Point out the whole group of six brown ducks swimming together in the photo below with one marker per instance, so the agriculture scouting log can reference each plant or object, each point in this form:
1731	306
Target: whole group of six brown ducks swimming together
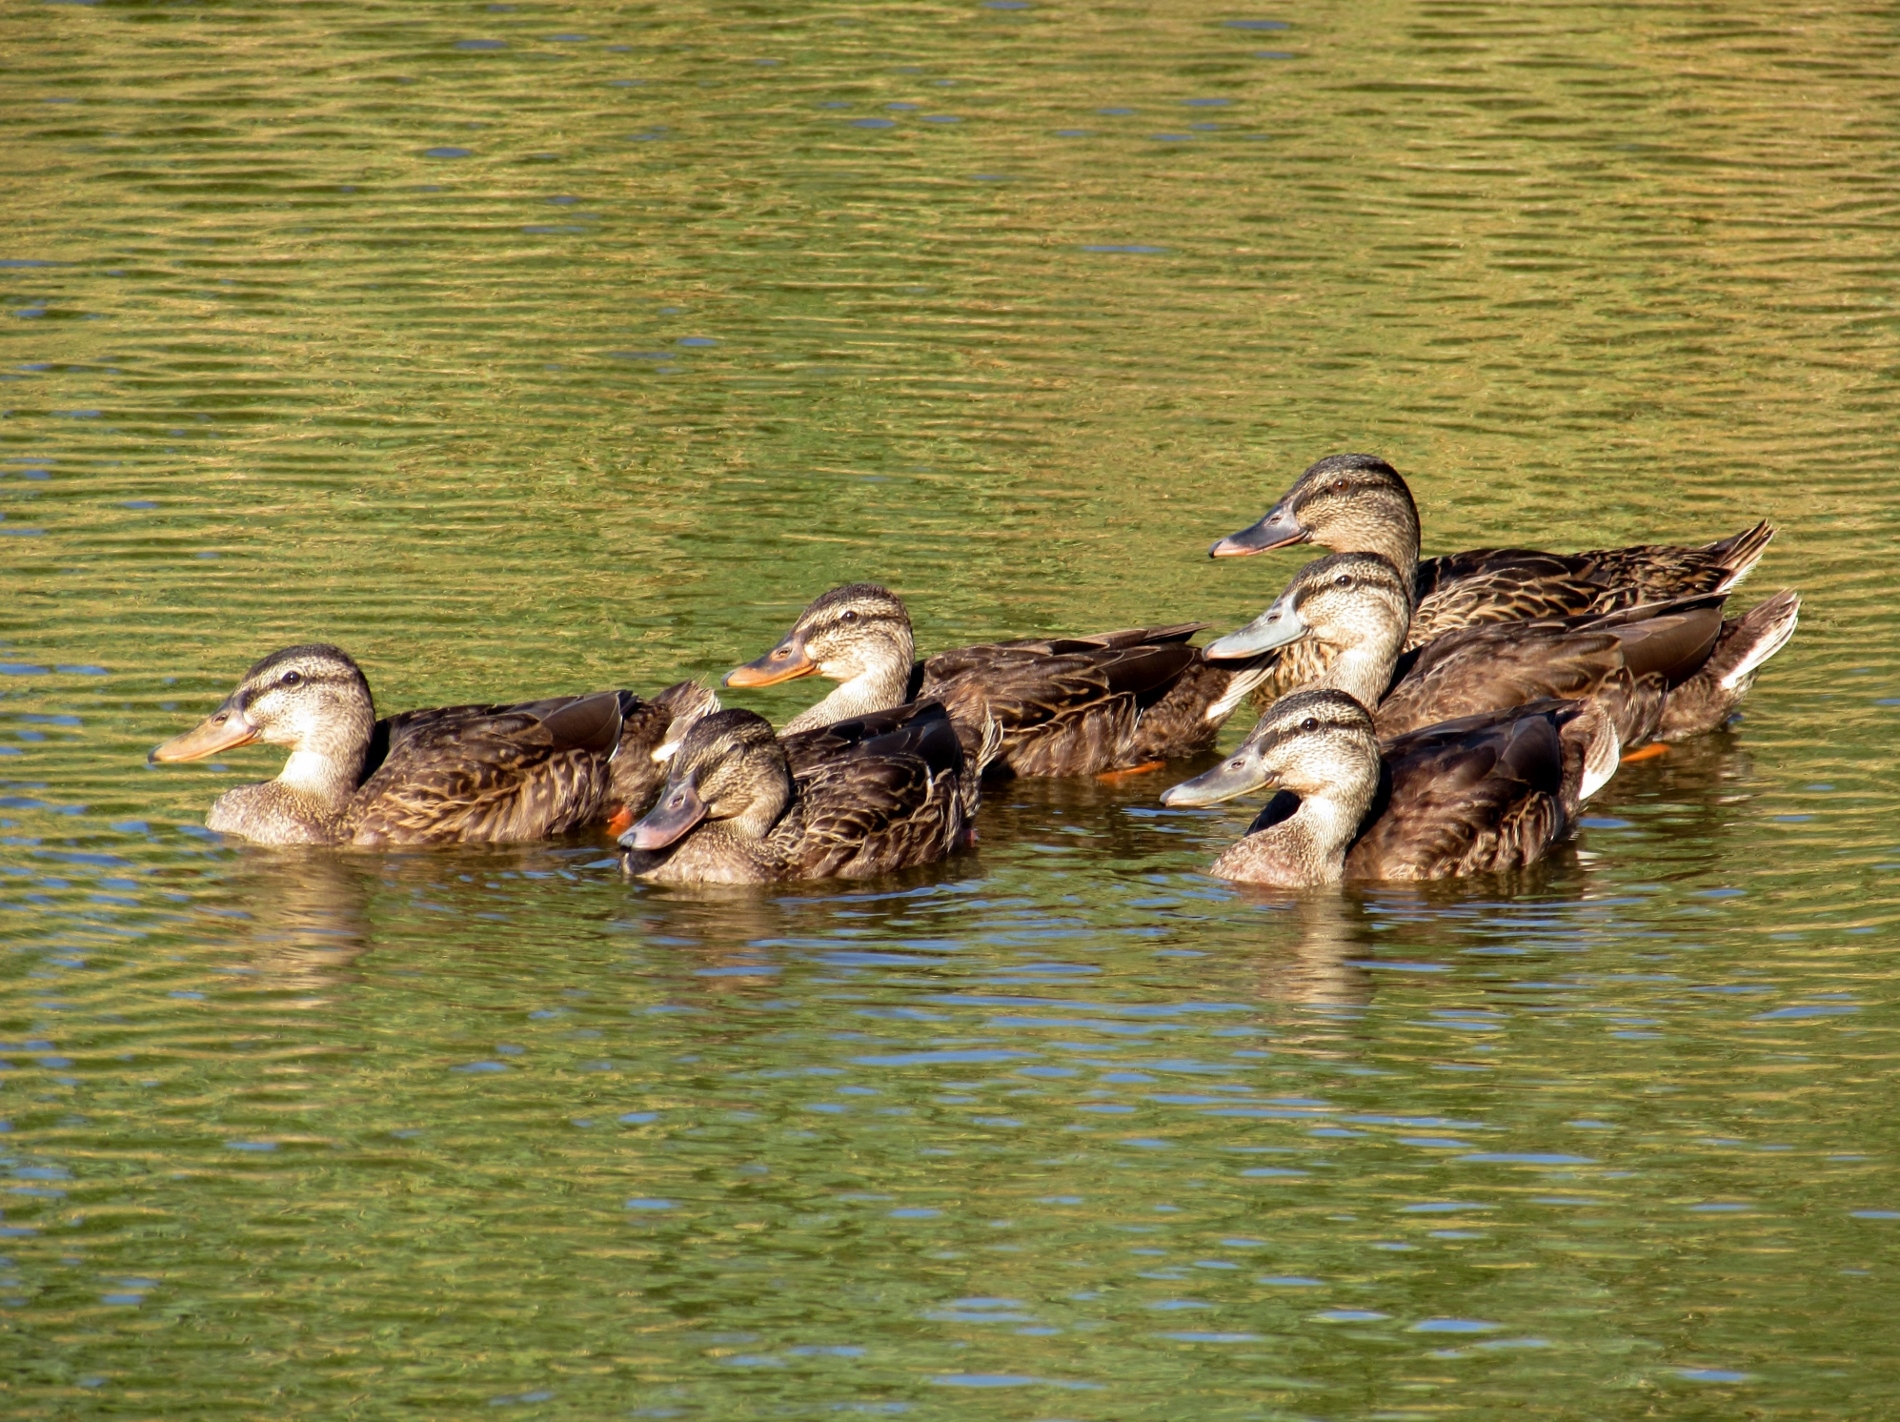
1424	718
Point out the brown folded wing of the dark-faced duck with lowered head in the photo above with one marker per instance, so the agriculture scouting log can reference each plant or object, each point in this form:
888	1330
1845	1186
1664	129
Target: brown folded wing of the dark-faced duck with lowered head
875	796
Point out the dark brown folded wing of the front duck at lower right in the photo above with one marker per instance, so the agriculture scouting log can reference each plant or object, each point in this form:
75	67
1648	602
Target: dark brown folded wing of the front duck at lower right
1468	797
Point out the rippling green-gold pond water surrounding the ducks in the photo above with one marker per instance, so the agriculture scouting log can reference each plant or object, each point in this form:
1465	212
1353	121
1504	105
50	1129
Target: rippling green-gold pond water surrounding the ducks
539	349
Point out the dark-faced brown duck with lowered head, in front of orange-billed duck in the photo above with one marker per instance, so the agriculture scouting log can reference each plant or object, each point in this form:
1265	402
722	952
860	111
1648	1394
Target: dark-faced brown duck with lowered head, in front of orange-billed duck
852	799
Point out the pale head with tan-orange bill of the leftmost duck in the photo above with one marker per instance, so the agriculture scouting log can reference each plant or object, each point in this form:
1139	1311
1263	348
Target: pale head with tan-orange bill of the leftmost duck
311	699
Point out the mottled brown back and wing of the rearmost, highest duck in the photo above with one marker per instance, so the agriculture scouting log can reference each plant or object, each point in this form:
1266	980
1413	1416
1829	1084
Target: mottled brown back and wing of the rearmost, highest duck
1510	585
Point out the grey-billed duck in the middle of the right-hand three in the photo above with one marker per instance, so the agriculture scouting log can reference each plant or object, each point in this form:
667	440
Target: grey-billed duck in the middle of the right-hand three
1665	670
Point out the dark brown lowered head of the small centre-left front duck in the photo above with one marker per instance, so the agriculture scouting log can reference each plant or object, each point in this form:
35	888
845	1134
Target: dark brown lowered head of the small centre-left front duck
729	771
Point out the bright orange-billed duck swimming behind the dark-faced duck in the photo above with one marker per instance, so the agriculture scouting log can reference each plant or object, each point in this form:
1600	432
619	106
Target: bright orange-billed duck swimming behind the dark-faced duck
1067	706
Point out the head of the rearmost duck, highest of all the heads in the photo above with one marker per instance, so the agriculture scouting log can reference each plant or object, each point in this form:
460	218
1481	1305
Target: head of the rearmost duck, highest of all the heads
1348	503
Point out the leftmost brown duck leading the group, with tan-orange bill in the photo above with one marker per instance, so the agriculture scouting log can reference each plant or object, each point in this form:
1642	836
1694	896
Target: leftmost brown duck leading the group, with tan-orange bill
457	775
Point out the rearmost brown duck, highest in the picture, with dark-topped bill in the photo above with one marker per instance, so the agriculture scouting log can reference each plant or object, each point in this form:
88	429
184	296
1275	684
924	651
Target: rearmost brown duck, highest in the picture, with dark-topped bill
1359	505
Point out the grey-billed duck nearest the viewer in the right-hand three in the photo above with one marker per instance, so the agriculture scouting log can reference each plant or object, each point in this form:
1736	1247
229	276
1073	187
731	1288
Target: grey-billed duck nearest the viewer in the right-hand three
1468	797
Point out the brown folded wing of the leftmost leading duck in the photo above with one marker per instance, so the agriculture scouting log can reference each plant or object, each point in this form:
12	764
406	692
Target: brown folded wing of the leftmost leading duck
491	775
